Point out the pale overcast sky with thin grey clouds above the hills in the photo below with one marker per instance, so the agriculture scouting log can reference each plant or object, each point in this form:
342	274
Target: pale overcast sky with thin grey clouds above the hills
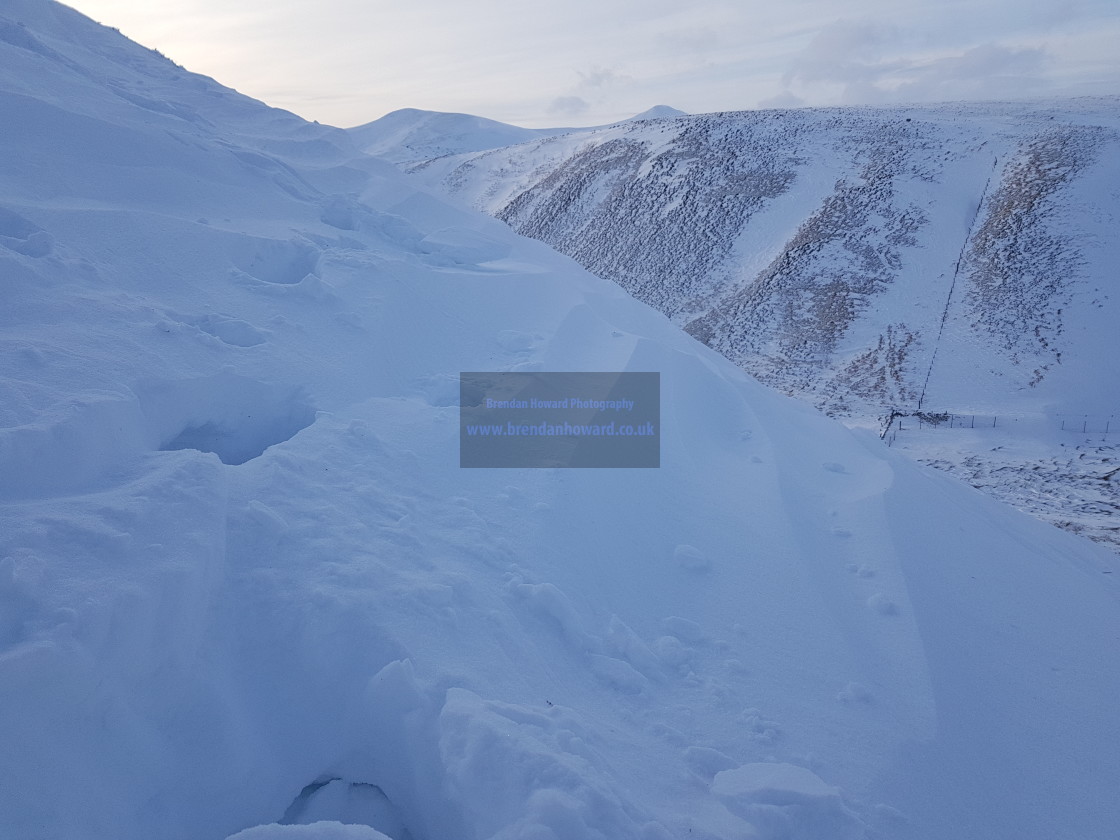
592	62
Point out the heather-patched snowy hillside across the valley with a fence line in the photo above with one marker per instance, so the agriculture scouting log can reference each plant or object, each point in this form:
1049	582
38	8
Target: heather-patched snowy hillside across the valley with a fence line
875	263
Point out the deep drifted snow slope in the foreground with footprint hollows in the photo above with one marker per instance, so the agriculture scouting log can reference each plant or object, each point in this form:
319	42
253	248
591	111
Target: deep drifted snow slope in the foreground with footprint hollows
247	592
